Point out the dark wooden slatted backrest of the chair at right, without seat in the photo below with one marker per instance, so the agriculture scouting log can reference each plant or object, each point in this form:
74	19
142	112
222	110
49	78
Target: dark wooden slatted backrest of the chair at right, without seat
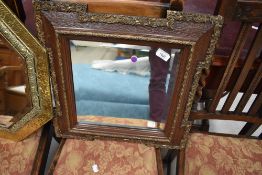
242	71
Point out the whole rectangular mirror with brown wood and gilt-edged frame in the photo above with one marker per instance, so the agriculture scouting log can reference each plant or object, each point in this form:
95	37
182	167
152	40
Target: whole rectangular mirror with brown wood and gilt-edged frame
125	77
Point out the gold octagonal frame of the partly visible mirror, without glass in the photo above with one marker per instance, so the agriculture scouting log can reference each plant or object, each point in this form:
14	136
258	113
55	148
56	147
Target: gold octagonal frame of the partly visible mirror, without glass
35	58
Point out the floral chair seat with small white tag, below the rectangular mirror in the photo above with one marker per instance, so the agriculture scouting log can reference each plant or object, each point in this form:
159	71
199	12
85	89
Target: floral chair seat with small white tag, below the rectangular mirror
111	158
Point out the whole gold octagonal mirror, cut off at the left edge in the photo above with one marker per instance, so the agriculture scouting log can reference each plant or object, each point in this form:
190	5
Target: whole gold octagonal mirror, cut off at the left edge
25	98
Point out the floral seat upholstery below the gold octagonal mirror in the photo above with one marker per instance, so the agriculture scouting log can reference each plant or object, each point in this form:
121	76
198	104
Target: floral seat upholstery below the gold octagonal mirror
17	158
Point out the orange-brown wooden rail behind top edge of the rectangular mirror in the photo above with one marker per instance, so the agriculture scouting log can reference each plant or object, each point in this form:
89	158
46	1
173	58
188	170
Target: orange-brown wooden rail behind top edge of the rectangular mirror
149	8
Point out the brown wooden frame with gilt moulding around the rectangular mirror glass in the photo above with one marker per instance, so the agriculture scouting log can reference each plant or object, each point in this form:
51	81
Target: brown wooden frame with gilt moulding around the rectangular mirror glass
195	34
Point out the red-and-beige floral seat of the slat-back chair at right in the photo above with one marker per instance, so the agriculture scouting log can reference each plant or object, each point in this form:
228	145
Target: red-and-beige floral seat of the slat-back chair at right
216	155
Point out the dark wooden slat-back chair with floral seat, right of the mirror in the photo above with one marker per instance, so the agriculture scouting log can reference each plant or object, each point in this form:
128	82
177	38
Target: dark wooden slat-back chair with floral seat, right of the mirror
208	153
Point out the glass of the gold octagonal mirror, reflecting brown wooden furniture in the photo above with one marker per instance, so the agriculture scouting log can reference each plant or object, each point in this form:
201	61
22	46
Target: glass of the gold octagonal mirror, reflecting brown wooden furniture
15	100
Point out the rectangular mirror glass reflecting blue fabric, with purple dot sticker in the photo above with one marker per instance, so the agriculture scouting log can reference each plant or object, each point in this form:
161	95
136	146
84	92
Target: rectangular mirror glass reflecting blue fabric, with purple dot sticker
122	84
